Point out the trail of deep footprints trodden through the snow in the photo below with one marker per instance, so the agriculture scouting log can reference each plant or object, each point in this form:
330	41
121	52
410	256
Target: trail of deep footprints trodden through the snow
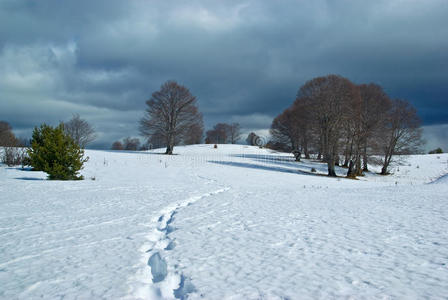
163	279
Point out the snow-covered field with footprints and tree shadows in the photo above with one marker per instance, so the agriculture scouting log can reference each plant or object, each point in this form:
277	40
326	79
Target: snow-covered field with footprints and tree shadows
235	222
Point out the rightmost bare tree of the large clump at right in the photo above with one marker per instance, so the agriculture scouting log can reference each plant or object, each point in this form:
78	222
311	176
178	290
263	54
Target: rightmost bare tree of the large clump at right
402	134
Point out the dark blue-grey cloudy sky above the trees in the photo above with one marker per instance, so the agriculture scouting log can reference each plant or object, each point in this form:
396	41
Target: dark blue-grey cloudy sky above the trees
243	60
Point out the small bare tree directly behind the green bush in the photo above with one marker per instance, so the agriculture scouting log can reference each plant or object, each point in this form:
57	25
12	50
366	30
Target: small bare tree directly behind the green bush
80	131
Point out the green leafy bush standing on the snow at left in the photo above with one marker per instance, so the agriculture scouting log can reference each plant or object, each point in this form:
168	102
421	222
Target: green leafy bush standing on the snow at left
56	153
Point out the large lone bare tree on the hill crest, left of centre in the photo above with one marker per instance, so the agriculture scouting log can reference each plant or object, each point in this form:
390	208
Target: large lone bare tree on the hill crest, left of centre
171	112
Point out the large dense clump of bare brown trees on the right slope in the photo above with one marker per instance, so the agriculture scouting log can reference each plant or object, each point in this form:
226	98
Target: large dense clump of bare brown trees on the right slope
346	124
